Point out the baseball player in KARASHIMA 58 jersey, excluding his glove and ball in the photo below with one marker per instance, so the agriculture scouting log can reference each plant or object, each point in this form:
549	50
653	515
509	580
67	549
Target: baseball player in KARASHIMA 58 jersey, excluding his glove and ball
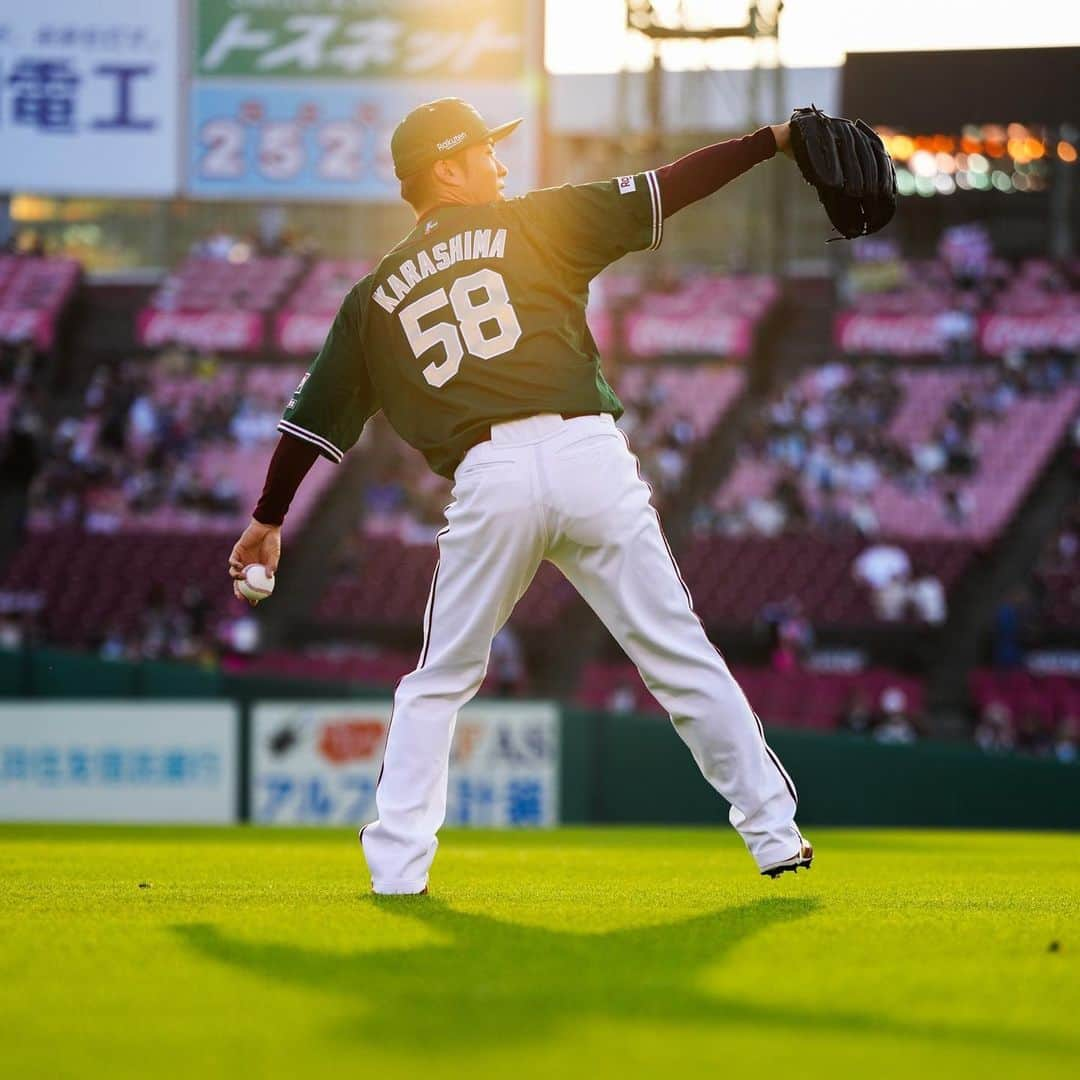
471	336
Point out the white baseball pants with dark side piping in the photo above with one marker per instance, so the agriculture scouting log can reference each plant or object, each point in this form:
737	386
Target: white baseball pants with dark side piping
570	492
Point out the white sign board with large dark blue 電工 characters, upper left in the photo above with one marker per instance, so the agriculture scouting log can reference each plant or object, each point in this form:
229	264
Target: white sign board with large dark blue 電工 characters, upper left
90	98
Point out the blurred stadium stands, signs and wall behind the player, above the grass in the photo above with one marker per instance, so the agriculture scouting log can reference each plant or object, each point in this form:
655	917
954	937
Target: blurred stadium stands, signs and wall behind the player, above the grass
867	455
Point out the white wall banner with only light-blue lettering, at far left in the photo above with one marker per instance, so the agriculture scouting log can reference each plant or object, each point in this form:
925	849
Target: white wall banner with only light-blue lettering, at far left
119	762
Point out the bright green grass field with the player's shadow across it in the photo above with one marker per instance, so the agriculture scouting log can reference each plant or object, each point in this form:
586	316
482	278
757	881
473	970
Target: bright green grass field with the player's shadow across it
259	953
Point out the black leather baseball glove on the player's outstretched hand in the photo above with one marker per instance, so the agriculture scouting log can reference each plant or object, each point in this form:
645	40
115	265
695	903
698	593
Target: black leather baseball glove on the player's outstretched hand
850	169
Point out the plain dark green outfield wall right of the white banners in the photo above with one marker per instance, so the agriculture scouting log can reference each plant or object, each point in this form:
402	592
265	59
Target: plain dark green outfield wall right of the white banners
637	769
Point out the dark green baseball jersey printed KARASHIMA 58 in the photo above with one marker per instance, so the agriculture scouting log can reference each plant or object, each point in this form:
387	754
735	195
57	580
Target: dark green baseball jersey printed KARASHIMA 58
476	318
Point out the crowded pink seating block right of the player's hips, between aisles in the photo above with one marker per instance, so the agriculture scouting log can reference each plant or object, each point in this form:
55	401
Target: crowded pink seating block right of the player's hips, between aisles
821	455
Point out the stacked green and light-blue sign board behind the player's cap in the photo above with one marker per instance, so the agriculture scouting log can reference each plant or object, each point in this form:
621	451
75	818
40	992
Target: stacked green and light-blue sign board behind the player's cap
290	104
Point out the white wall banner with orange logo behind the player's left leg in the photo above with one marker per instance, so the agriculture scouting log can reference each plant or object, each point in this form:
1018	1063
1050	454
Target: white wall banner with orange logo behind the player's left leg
318	764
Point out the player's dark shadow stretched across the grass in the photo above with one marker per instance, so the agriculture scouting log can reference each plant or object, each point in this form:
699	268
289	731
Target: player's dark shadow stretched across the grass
493	982
